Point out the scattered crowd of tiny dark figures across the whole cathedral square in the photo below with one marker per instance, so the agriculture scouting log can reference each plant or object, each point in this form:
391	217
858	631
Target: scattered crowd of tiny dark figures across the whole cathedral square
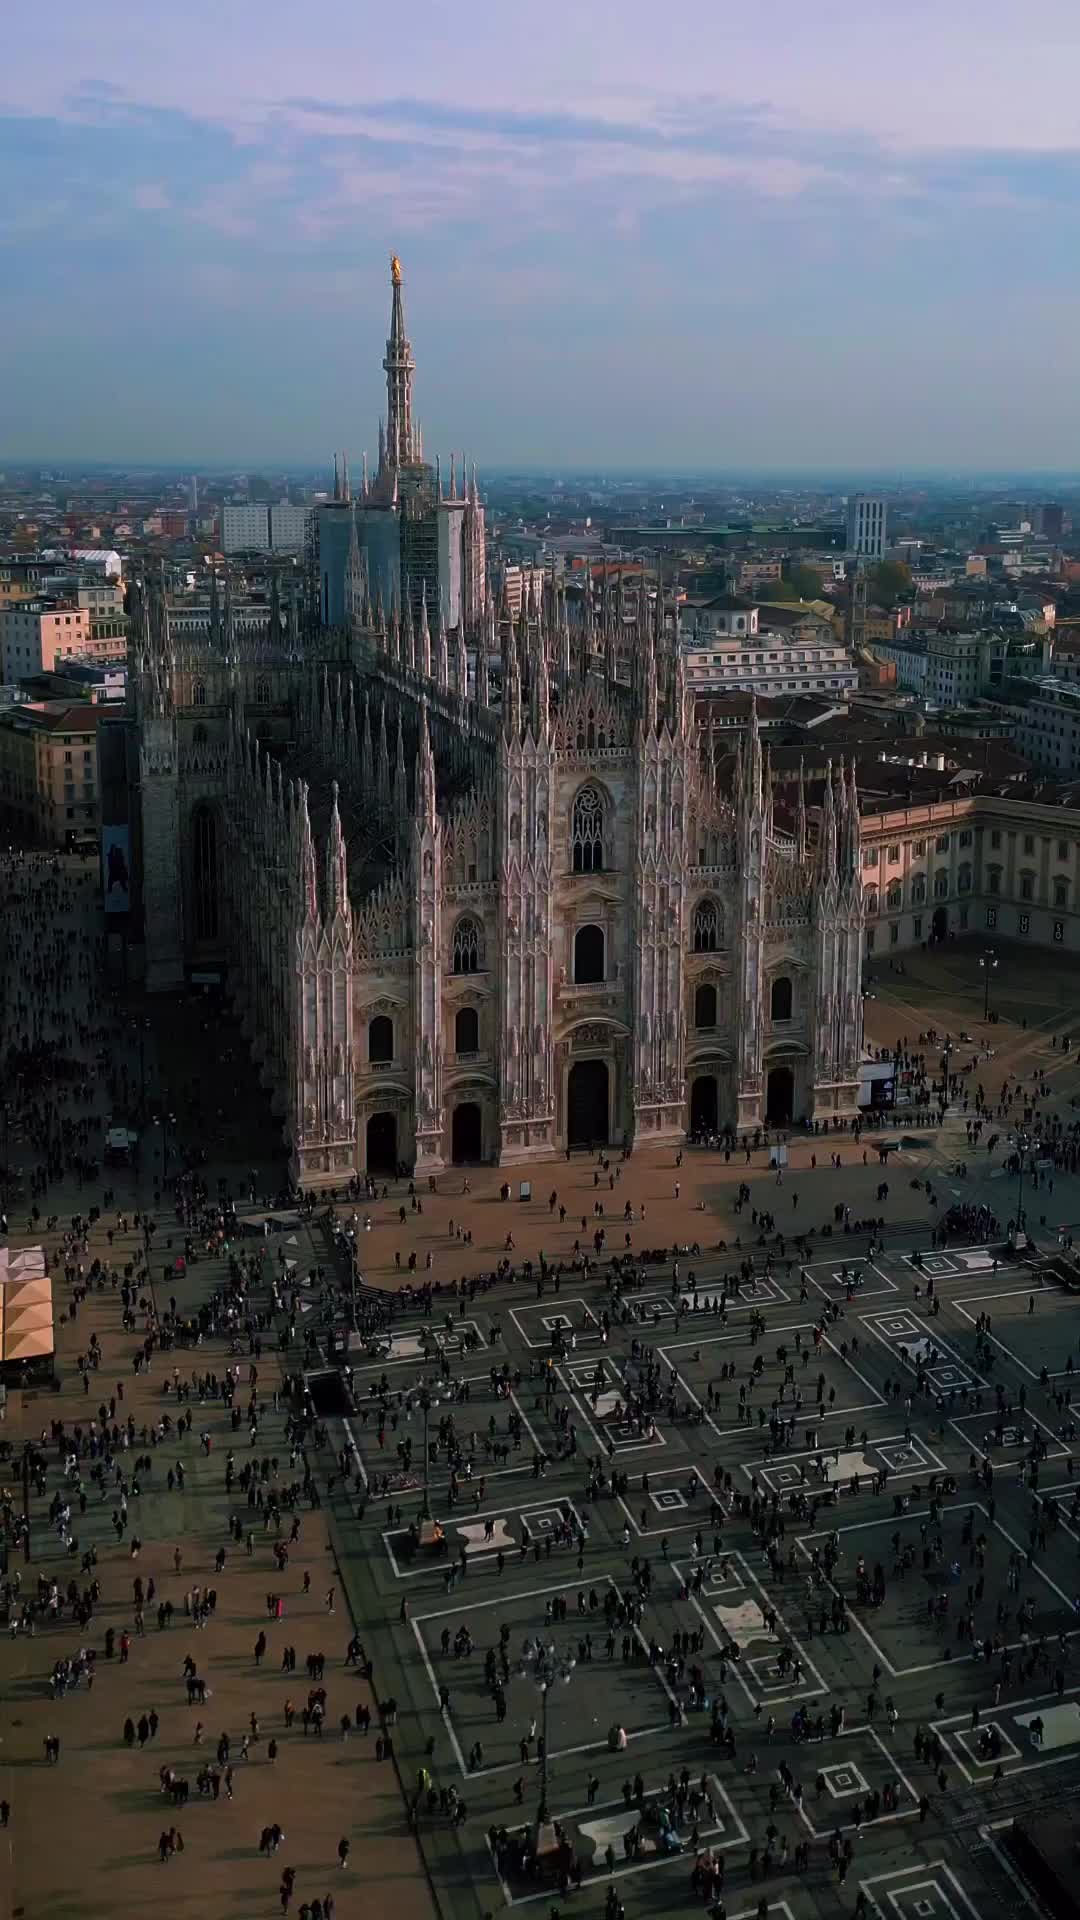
201	1383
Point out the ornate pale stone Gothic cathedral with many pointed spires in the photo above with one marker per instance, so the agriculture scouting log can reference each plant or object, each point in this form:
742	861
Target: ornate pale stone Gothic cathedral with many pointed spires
481	898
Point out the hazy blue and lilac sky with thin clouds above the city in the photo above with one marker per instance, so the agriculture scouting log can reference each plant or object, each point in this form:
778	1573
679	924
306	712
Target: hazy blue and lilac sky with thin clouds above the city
833	235
